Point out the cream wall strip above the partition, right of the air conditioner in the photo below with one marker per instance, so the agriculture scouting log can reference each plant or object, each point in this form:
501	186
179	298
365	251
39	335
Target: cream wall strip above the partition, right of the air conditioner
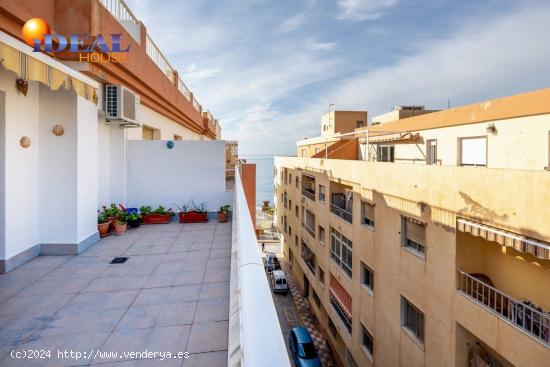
167	127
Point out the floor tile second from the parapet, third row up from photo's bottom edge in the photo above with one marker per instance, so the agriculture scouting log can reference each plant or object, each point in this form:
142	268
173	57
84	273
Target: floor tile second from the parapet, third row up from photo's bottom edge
142	317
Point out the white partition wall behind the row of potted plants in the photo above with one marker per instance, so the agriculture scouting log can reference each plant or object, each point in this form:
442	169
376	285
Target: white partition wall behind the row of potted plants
192	170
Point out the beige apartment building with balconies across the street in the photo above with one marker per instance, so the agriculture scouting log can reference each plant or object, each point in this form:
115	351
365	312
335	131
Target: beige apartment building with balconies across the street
425	240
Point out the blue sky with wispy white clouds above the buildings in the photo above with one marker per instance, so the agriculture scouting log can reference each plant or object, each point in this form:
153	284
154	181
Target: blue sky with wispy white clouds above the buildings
268	69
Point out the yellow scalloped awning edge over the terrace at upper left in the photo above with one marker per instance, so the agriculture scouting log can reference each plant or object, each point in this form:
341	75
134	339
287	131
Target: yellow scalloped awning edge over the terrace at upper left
31	69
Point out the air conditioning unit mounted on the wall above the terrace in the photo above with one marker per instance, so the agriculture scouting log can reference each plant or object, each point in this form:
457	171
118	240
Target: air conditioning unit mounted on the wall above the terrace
120	105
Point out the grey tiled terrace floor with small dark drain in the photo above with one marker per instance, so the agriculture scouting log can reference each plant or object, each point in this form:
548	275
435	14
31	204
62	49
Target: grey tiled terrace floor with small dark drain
172	295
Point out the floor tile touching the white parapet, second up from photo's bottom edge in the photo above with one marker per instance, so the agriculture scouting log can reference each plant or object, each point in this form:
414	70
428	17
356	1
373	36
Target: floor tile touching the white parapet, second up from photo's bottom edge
208	337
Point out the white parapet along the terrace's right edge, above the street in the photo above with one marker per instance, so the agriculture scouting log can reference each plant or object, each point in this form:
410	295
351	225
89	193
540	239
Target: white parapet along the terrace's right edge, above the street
255	336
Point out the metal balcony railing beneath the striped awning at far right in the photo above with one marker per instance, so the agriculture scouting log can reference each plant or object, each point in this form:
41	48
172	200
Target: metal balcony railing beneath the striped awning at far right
518	313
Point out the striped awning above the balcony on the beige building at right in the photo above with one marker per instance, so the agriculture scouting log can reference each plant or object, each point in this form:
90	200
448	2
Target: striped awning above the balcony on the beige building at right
519	242
